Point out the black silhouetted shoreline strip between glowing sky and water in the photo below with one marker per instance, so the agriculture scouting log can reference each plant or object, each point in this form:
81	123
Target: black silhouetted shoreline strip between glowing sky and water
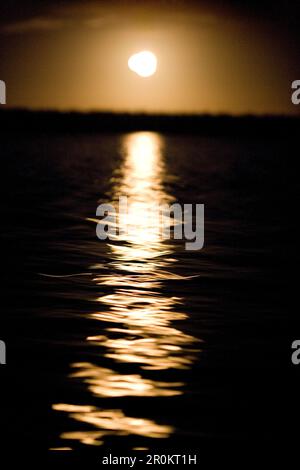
205	124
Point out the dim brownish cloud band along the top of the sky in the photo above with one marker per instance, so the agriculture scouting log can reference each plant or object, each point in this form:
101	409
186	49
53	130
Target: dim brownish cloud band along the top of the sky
91	15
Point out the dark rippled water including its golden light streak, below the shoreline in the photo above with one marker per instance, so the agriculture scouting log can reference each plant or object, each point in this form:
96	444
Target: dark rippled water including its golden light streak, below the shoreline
137	343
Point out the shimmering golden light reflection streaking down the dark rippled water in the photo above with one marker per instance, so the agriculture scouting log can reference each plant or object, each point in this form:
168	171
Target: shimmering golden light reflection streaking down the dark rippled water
137	316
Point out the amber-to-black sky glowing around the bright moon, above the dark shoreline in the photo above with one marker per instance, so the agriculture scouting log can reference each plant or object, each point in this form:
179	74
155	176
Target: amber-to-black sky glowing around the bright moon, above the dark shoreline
213	56
